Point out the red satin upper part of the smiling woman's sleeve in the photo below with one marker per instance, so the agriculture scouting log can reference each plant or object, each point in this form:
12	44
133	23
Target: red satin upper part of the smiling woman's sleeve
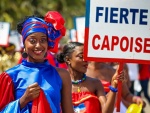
6	90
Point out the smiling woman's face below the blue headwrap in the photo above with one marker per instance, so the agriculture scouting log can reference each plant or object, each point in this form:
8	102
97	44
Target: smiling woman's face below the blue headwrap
36	46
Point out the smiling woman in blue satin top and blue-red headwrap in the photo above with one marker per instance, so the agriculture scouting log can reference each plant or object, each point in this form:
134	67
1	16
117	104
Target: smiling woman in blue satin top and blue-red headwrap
34	86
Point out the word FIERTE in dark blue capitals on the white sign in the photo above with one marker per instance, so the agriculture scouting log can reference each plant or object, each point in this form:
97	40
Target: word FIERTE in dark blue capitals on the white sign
122	15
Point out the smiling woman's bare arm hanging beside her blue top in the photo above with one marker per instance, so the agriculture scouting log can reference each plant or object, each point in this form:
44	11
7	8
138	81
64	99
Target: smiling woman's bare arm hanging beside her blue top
66	99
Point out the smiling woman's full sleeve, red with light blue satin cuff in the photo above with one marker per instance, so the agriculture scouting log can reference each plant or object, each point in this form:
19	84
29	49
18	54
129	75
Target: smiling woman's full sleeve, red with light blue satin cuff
7	103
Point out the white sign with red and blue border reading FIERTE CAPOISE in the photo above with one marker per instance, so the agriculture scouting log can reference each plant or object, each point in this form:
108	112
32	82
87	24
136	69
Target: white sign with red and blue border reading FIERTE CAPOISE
118	30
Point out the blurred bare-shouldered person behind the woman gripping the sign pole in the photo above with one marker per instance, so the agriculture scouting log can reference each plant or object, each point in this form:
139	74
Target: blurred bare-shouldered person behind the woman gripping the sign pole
104	71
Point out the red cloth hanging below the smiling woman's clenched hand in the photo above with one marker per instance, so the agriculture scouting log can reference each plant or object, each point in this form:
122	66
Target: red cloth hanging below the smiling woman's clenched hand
40	104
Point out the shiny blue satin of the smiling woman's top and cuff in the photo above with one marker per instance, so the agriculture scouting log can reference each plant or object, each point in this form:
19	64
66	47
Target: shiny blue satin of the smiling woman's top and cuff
28	73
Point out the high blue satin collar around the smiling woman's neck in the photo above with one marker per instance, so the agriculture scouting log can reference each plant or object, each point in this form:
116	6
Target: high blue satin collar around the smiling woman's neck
31	64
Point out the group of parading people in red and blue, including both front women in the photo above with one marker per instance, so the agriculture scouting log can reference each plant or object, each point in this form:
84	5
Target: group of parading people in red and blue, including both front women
43	82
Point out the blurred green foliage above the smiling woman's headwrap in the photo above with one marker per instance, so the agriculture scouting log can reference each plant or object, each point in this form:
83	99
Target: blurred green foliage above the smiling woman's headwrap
14	10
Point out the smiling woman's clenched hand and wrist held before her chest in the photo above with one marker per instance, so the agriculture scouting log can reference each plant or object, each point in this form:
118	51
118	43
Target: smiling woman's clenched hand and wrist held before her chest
30	94
